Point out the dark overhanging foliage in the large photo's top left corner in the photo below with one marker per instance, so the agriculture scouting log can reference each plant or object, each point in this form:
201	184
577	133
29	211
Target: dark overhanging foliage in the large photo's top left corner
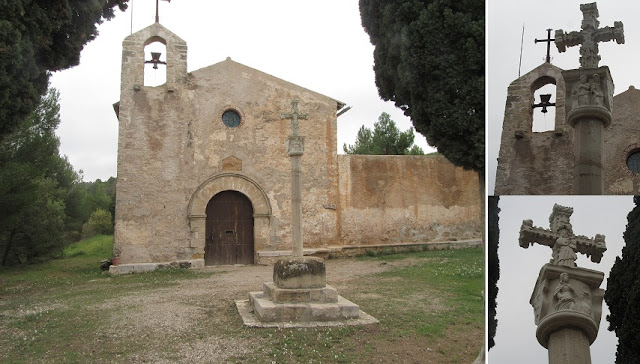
38	37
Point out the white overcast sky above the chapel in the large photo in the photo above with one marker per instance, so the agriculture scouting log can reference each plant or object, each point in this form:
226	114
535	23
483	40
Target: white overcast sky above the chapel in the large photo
318	45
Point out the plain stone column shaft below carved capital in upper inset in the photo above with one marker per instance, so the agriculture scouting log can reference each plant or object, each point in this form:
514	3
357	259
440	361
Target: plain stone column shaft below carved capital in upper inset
588	157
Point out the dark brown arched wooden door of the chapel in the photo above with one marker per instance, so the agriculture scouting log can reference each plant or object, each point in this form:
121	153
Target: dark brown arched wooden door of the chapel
229	229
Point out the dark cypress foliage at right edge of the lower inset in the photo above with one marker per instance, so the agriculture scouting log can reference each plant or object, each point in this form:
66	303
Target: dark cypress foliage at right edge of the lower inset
623	292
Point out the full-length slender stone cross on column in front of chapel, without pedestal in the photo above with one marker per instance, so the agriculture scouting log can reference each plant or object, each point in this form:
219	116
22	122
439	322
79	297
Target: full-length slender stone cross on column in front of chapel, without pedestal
295	149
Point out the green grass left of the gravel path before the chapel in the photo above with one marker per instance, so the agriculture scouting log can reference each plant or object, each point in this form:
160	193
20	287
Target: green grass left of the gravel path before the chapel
50	307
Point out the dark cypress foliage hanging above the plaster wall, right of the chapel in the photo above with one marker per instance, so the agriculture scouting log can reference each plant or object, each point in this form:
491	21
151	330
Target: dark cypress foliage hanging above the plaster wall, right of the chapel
429	60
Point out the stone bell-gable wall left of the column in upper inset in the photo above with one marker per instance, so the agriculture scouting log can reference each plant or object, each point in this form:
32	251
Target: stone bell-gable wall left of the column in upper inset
534	163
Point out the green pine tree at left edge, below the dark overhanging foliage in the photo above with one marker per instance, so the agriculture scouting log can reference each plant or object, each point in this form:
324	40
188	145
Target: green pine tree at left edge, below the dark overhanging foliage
34	183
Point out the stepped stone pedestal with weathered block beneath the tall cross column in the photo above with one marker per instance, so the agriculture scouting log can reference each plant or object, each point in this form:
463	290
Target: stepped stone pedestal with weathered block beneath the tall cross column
299	297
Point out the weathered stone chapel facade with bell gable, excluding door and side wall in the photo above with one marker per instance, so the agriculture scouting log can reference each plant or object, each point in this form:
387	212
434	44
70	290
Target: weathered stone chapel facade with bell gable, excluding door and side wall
173	147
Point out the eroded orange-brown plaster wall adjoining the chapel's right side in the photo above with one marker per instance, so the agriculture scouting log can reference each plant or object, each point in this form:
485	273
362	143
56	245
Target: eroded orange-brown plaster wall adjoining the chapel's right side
406	199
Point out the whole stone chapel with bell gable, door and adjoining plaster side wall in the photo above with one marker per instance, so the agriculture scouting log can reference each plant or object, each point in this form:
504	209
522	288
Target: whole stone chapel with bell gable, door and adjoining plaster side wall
204	176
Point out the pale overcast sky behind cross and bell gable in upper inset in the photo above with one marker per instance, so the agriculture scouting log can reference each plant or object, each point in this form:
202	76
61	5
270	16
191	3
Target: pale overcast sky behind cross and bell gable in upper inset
505	19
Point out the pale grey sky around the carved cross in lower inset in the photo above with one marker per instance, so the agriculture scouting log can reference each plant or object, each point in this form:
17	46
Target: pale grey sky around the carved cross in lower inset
516	335
